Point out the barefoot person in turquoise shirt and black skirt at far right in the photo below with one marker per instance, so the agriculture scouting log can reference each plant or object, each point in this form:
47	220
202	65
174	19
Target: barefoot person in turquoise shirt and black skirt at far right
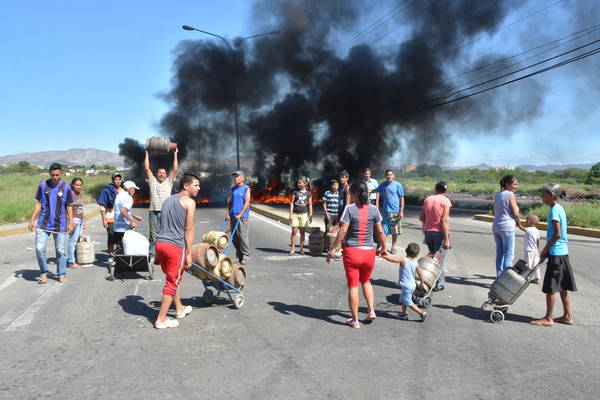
559	273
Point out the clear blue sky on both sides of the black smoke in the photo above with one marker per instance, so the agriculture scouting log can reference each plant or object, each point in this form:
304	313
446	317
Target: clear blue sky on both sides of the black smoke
87	74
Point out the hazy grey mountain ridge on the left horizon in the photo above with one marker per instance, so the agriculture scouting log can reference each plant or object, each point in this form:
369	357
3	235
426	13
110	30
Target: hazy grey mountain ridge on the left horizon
85	157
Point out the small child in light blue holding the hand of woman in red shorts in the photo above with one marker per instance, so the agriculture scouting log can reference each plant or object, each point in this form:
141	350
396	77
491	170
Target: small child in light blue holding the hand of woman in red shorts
408	268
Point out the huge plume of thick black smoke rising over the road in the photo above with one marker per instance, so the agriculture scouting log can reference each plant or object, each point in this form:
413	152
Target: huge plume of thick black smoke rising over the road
304	103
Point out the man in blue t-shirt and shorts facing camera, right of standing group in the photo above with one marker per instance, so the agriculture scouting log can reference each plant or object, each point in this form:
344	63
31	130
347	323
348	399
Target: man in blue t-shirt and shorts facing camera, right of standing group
392	206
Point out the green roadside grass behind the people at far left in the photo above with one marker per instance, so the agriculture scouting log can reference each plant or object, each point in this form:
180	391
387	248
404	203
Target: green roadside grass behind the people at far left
17	191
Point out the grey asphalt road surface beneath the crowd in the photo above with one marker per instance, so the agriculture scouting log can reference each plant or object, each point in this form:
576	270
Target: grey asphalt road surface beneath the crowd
92	338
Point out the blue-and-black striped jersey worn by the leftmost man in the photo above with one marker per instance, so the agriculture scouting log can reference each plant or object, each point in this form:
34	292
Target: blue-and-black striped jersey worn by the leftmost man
54	201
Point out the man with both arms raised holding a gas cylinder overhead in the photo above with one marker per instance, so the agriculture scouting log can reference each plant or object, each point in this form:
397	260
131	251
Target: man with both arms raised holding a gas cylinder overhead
160	187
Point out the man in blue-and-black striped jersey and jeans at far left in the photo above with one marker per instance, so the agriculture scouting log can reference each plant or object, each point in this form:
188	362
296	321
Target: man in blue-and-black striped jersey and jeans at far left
53	200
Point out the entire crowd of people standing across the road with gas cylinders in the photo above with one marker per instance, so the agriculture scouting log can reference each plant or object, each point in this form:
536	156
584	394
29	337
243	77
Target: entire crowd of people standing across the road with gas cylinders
362	213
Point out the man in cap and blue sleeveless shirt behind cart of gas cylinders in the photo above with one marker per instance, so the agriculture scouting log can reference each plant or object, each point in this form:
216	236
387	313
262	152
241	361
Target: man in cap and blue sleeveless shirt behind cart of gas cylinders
238	210
